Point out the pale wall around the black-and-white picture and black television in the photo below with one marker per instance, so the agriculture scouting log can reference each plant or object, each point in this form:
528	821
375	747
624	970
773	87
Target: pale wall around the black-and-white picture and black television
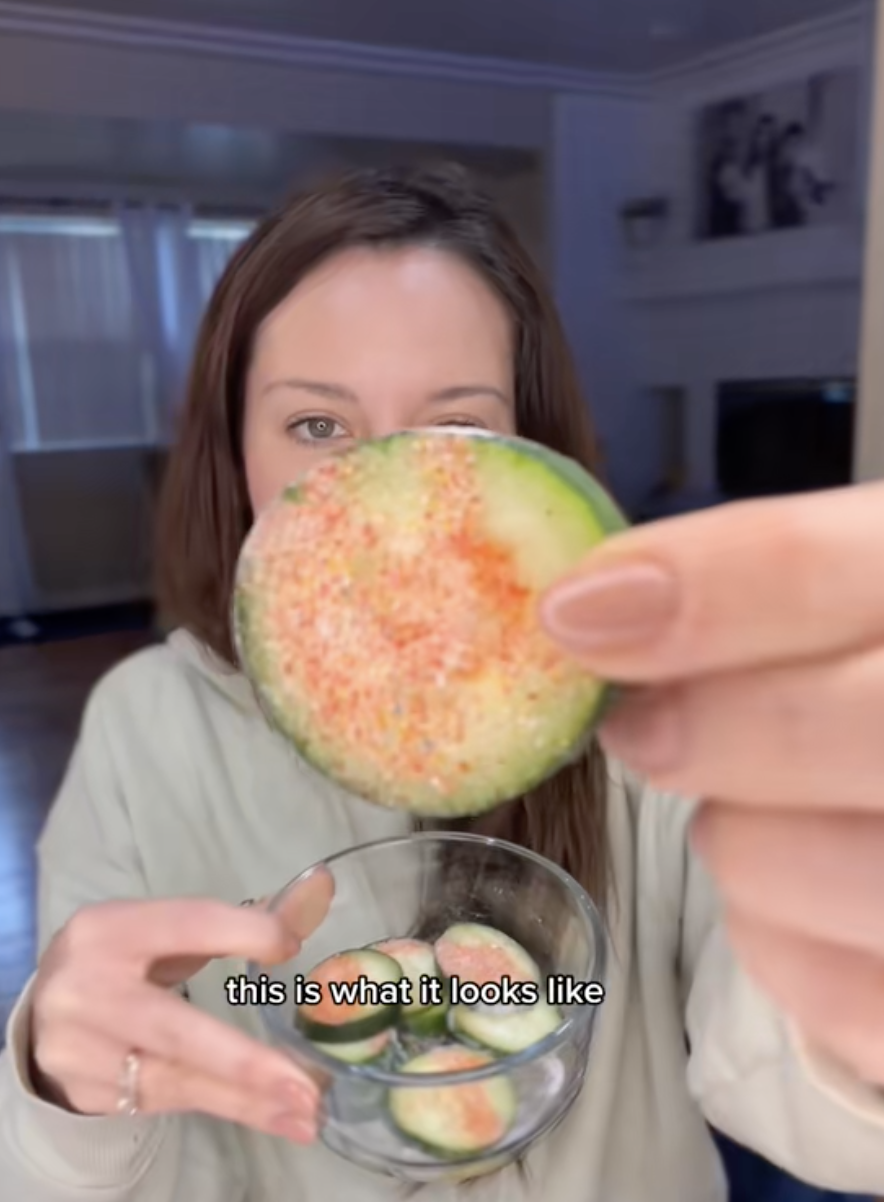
686	314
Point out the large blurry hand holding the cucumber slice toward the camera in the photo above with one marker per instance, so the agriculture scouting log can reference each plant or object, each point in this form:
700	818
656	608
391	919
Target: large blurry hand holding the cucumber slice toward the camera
754	636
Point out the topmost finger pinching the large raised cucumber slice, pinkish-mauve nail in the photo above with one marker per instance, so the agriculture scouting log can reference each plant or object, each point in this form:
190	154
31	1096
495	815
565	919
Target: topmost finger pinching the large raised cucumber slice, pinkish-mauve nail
740	586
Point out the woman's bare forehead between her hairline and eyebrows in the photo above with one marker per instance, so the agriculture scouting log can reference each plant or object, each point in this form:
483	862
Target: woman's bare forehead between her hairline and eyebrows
418	306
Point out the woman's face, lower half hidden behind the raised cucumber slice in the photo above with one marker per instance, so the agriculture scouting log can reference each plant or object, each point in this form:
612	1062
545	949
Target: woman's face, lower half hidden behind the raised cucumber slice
373	343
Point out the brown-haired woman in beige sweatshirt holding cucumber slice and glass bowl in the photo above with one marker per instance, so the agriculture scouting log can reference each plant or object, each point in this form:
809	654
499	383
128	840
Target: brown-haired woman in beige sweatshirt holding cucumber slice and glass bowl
393	301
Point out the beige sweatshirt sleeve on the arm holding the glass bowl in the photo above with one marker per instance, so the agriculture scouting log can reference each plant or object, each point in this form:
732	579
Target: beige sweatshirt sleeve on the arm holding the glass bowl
48	1155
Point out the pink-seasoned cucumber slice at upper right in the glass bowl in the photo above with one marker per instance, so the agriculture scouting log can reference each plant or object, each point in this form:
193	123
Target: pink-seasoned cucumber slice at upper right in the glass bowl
478	955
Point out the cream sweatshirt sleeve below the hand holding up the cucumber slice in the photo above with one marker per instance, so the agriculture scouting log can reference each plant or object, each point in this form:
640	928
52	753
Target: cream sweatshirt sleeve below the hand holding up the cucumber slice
752	1074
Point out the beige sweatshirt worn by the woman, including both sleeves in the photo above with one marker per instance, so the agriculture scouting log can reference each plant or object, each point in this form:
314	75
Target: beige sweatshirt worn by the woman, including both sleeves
179	788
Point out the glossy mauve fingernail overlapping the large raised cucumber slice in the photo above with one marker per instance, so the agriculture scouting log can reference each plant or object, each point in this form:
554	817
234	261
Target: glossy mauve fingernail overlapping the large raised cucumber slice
618	605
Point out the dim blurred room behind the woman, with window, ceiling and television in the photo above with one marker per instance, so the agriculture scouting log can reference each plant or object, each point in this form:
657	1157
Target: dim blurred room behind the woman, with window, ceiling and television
692	176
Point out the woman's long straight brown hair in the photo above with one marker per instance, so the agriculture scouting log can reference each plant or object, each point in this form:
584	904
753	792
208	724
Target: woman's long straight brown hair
205	510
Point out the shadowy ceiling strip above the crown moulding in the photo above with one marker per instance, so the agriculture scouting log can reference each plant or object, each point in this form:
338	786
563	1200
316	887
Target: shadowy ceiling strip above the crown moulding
601	35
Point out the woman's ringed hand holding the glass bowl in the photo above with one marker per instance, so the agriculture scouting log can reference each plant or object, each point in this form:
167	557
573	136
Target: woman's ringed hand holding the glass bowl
105	989
